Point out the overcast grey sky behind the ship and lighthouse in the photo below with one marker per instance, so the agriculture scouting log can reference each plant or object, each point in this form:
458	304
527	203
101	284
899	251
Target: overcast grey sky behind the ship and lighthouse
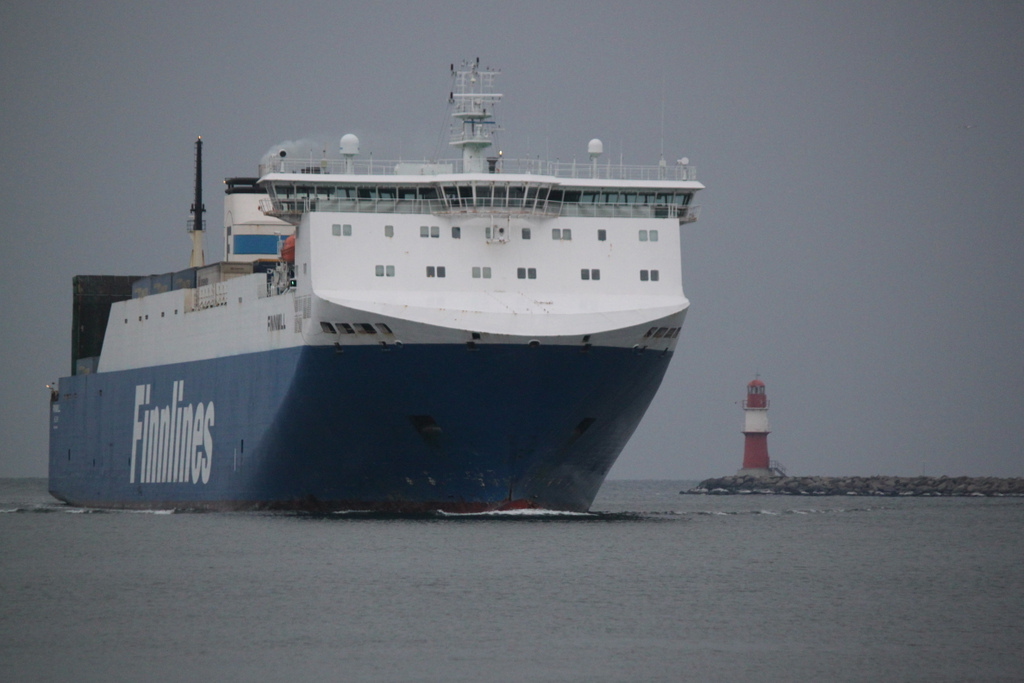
861	241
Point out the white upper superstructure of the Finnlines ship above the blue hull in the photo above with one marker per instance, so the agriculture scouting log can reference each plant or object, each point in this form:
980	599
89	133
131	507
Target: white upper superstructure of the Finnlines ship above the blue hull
482	250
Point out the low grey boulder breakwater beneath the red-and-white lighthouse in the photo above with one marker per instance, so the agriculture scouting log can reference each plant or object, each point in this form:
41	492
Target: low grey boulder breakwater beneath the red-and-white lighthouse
873	486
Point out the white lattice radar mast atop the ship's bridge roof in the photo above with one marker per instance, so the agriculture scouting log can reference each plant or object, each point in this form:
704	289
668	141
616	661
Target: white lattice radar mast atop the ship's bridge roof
474	100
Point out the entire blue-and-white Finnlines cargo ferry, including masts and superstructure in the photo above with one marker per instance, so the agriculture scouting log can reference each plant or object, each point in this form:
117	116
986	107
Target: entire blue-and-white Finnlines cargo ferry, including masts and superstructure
465	334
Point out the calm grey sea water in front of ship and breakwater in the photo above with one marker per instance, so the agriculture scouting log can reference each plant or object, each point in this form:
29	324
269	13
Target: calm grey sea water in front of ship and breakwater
653	587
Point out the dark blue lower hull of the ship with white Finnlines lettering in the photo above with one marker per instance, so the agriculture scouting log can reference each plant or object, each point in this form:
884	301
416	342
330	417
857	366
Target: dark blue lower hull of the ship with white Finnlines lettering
421	428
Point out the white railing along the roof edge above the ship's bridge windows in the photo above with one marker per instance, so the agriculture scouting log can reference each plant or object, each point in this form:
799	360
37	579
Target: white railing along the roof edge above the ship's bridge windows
582	170
